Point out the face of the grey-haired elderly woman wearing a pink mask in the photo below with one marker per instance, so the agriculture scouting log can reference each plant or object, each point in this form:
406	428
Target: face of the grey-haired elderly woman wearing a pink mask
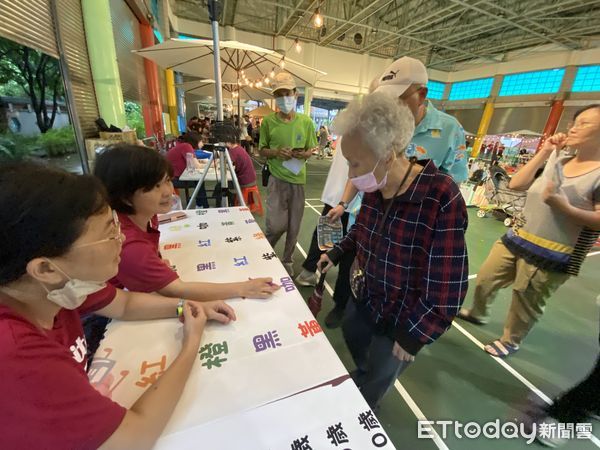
362	159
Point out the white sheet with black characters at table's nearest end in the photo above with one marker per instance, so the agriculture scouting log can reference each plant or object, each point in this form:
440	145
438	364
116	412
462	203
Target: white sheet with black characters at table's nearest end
328	417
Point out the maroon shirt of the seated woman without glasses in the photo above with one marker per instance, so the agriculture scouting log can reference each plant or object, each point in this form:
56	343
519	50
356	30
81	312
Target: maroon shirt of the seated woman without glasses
141	268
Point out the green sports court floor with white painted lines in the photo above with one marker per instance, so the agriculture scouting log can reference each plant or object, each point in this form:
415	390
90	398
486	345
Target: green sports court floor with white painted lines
454	379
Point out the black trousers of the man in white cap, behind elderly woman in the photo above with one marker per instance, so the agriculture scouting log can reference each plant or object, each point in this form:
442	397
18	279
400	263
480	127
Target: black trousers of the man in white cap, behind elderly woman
342	290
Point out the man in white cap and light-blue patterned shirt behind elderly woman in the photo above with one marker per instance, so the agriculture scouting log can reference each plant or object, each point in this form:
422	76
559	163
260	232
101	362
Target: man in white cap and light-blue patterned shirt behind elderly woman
438	136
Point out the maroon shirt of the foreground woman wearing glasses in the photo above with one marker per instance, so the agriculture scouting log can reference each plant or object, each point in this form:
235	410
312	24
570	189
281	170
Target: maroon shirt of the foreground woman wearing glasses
47	400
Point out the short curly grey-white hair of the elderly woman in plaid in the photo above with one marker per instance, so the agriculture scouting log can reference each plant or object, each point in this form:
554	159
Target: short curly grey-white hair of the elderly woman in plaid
385	123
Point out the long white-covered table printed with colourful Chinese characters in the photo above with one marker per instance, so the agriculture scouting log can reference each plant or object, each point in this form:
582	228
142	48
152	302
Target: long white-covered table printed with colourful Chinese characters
270	380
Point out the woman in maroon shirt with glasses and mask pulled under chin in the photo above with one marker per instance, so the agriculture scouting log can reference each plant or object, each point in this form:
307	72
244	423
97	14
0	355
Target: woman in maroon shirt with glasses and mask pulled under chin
56	257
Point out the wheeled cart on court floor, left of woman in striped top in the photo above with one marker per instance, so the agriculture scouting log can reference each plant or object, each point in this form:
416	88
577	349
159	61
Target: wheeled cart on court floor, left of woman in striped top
503	203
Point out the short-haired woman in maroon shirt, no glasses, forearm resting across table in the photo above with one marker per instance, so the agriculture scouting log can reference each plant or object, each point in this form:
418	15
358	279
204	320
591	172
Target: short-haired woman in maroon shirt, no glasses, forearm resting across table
138	180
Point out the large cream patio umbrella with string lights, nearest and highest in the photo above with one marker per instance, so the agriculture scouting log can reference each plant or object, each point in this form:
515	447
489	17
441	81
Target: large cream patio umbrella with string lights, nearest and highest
239	61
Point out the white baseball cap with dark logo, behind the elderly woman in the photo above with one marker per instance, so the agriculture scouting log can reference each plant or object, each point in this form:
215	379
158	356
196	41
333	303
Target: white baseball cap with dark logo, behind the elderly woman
400	75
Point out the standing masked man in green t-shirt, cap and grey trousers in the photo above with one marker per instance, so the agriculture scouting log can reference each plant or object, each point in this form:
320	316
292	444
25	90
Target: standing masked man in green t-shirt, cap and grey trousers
287	140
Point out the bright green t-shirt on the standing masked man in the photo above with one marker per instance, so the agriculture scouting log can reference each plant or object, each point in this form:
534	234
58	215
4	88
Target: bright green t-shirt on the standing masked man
297	133
